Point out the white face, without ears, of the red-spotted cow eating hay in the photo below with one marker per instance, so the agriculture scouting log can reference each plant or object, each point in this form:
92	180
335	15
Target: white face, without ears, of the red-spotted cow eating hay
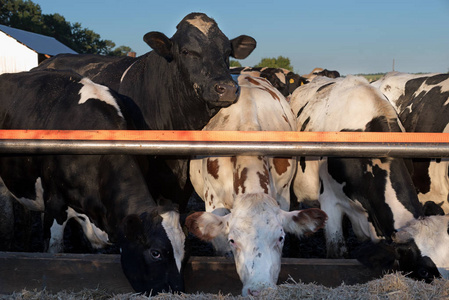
256	237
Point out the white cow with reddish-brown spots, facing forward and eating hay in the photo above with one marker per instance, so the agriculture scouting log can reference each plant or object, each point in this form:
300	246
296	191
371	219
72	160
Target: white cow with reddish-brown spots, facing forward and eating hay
247	198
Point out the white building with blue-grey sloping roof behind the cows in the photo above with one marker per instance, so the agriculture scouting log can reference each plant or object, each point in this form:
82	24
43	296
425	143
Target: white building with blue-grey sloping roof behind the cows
23	50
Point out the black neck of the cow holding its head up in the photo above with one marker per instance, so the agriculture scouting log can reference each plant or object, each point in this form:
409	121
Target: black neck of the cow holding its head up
166	100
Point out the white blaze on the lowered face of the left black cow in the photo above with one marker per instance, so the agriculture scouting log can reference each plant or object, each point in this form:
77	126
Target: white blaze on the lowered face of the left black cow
170	222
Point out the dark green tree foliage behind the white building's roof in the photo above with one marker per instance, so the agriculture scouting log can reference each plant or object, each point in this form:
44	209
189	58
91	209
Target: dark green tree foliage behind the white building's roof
26	15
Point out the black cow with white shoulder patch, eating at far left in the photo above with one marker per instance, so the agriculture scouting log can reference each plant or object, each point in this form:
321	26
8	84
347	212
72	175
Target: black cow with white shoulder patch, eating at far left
106	194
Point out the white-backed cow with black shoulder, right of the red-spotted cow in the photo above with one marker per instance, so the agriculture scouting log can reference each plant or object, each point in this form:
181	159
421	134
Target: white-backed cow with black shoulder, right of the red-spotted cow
376	194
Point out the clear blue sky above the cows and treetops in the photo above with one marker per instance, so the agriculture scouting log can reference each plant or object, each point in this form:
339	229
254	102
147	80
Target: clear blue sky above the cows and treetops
351	36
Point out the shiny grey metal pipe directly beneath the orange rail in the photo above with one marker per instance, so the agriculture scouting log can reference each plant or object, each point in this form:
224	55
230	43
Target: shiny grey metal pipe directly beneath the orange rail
217	148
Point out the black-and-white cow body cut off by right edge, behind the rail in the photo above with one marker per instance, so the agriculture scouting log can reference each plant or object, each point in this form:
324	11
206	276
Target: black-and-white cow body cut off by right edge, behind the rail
421	101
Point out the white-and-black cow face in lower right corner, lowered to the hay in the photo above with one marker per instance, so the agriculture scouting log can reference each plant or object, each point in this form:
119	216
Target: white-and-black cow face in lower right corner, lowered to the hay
423	247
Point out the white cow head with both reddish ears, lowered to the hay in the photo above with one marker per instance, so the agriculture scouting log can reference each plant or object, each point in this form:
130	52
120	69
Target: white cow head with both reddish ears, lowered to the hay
255	229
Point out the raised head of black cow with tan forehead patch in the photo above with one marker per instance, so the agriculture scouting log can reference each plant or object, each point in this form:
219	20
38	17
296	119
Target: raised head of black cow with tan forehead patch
201	53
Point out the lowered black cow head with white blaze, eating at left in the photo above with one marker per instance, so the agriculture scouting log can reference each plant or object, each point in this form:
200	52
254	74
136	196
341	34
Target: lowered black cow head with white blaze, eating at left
152	250
